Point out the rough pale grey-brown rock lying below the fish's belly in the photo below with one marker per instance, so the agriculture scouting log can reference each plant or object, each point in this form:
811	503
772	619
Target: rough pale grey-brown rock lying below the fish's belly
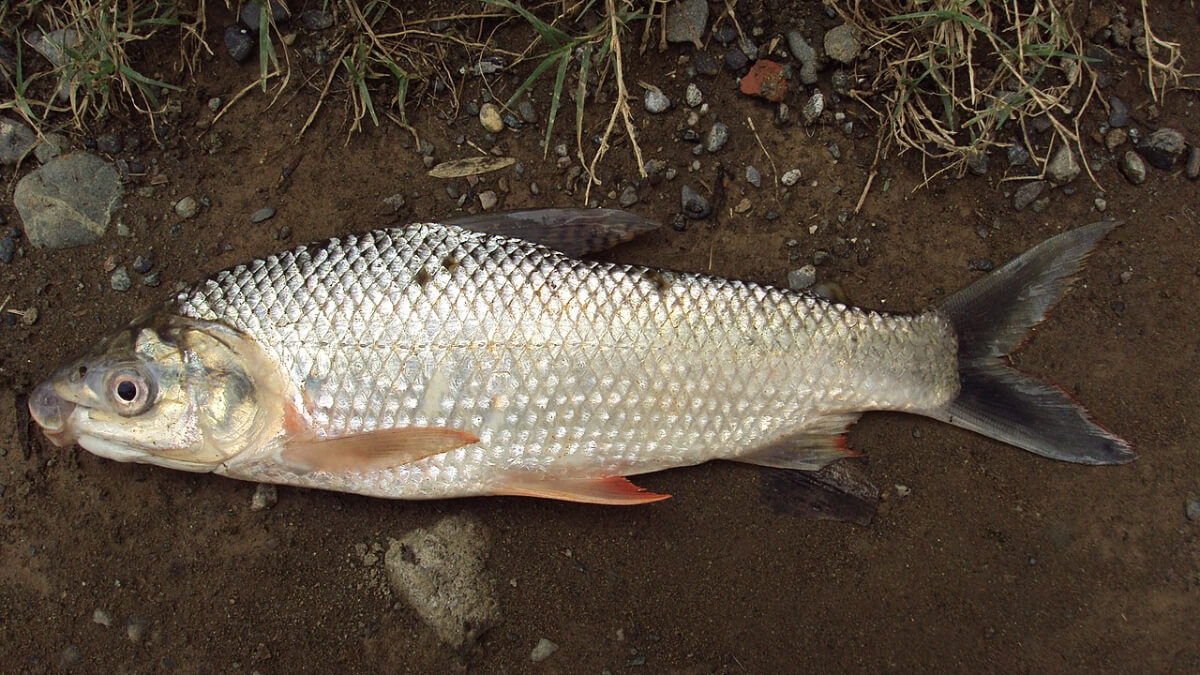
440	572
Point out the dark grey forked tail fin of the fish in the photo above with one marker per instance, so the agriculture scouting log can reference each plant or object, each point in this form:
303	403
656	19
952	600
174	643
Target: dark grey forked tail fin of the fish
992	318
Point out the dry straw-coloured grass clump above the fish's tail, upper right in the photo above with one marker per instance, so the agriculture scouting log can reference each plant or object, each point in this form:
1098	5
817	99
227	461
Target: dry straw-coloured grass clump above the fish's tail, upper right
956	73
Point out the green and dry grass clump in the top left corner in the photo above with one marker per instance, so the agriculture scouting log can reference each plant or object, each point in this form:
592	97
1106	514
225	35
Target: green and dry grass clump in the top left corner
85	69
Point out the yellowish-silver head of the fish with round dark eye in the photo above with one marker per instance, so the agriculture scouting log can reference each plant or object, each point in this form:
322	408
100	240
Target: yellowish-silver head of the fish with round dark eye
166	391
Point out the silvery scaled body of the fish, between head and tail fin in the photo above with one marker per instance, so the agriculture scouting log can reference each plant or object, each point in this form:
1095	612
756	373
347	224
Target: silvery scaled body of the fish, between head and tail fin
562	368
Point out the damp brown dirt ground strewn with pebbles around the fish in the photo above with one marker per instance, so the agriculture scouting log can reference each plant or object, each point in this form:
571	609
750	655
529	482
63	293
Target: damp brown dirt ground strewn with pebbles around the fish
995	560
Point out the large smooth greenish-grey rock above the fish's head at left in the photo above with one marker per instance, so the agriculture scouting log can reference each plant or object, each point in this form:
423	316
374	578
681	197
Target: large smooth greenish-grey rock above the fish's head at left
69	202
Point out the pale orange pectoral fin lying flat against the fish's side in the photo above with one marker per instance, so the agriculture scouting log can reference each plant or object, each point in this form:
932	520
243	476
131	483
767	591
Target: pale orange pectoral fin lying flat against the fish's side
375	450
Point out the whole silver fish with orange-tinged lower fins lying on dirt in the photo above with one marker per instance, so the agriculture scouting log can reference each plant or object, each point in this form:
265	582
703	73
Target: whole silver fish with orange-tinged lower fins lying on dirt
489	356
